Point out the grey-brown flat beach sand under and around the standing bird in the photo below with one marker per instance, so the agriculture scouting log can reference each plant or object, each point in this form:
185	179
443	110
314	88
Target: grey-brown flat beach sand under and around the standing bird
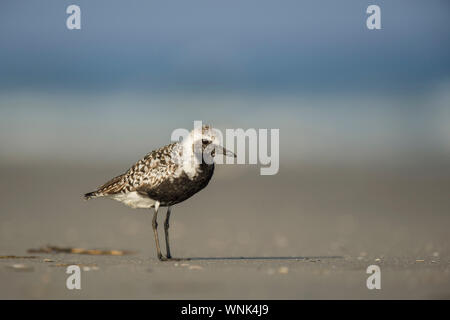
307	233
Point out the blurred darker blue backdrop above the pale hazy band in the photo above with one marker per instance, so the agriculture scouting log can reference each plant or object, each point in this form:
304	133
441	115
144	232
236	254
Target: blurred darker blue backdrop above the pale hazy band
224	45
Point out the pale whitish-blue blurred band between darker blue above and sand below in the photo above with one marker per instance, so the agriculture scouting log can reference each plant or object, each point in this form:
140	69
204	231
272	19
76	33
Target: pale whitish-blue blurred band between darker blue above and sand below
360	129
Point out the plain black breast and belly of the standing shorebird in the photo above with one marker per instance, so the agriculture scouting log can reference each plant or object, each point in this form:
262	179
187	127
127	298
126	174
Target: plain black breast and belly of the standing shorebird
178	189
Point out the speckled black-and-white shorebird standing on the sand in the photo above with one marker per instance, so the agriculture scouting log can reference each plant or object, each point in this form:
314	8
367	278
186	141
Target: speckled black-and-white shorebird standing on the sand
165	177
